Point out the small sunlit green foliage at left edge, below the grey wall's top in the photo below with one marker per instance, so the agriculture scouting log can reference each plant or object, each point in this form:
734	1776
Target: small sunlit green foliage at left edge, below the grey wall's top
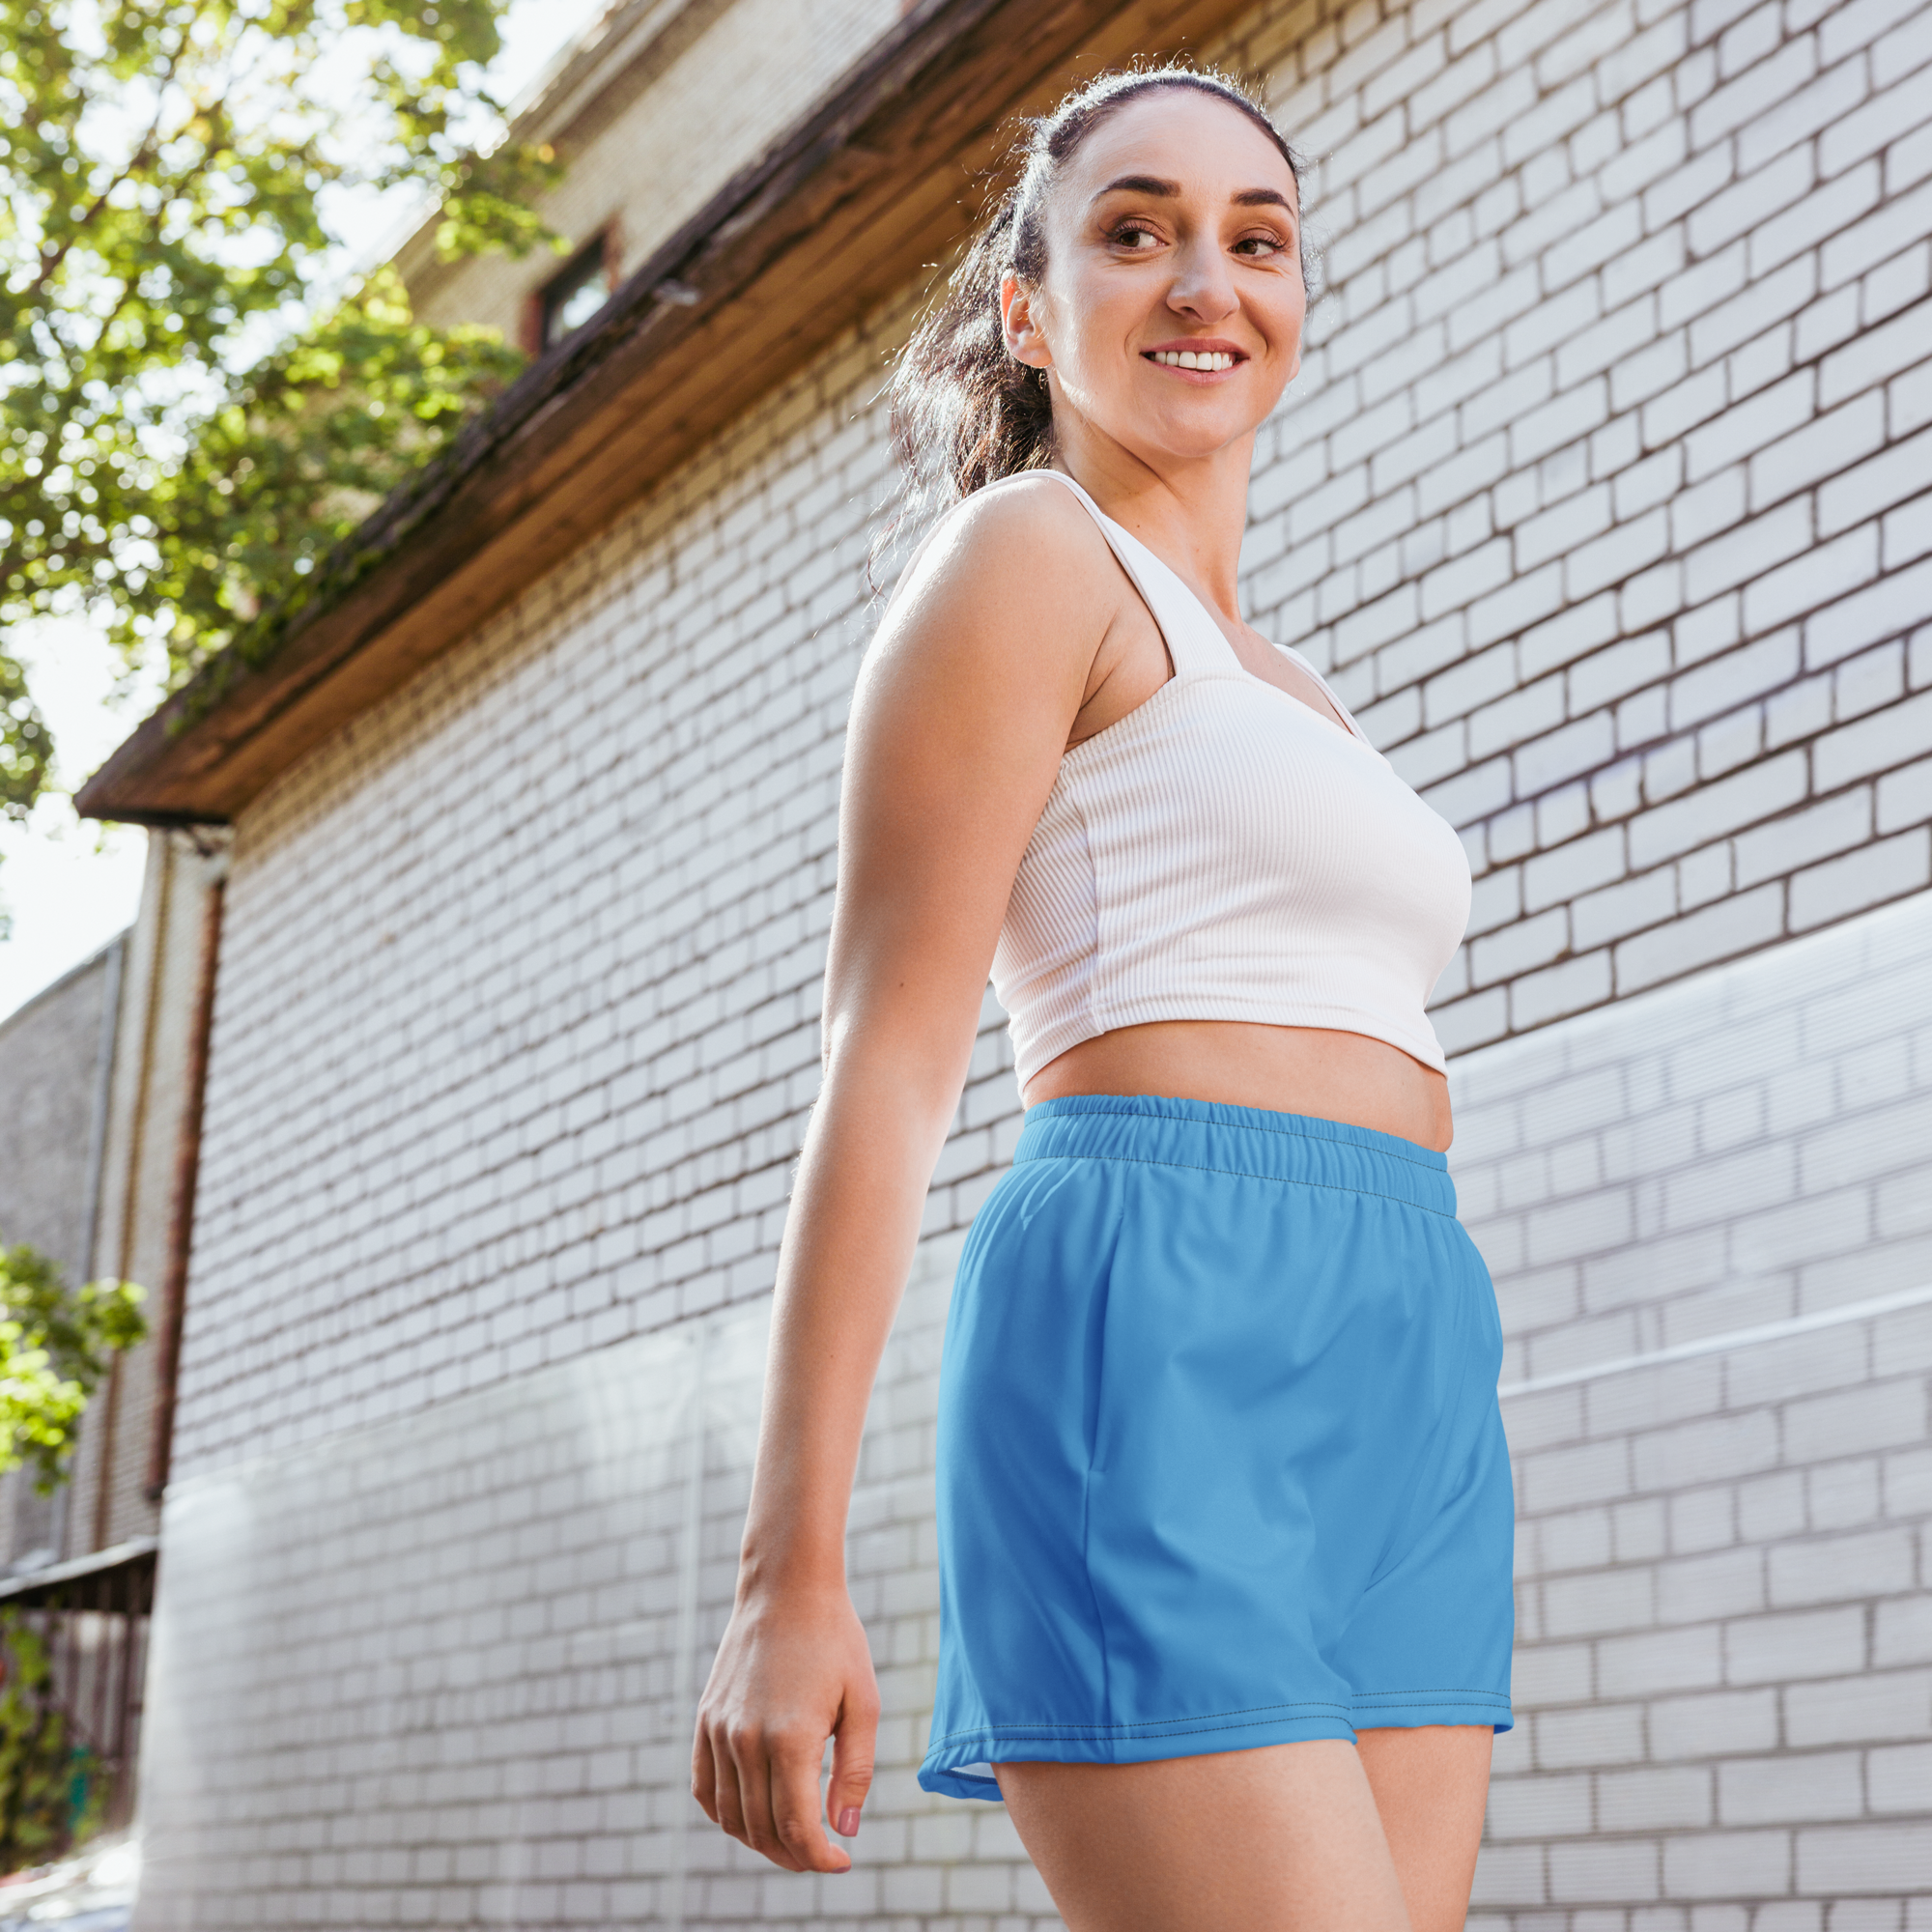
55	1348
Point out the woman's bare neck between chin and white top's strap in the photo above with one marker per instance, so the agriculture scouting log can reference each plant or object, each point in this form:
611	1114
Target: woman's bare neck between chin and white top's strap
1189	513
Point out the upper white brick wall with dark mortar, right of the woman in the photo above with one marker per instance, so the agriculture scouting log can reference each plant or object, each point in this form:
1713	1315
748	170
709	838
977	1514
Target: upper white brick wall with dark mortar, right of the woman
1606	492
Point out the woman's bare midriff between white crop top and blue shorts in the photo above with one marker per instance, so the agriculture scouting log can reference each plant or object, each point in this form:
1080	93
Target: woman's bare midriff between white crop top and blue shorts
1290	1069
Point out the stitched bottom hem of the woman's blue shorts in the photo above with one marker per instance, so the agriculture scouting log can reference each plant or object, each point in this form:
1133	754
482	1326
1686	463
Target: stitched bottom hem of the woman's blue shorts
946	1769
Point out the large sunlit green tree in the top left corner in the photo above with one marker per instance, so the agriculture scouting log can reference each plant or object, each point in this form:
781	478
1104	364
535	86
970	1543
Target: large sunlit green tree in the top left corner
186	426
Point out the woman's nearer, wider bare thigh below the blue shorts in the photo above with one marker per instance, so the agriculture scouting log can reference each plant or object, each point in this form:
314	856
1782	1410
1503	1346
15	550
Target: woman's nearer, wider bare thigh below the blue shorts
1276	1840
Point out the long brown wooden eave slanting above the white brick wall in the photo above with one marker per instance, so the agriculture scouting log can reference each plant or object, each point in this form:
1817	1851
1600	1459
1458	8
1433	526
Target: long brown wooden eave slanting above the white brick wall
874	185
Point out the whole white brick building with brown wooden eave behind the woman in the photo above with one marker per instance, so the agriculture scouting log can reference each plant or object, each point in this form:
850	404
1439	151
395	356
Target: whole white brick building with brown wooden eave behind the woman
1603	497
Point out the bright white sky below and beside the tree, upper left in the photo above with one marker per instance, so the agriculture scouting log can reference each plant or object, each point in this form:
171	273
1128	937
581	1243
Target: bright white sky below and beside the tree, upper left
72	886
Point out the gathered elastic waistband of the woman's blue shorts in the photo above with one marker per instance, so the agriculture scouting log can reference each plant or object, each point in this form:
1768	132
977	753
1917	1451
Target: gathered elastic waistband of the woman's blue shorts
1237	1141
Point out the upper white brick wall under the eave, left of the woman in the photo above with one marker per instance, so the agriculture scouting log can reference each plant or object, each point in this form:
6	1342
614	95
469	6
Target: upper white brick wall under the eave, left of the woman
519	1011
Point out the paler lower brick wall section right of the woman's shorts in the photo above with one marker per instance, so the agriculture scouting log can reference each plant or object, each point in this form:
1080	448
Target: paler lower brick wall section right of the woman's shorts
1724	1668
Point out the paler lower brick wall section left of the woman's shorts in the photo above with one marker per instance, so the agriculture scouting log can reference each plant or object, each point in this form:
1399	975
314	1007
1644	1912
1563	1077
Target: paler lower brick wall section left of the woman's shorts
445	1670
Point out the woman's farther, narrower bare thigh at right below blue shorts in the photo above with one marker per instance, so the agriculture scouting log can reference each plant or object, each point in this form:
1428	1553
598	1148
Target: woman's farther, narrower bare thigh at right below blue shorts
1431	1786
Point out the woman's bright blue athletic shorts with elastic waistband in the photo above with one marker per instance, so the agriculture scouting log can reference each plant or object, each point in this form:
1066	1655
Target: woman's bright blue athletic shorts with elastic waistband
1220	1452
